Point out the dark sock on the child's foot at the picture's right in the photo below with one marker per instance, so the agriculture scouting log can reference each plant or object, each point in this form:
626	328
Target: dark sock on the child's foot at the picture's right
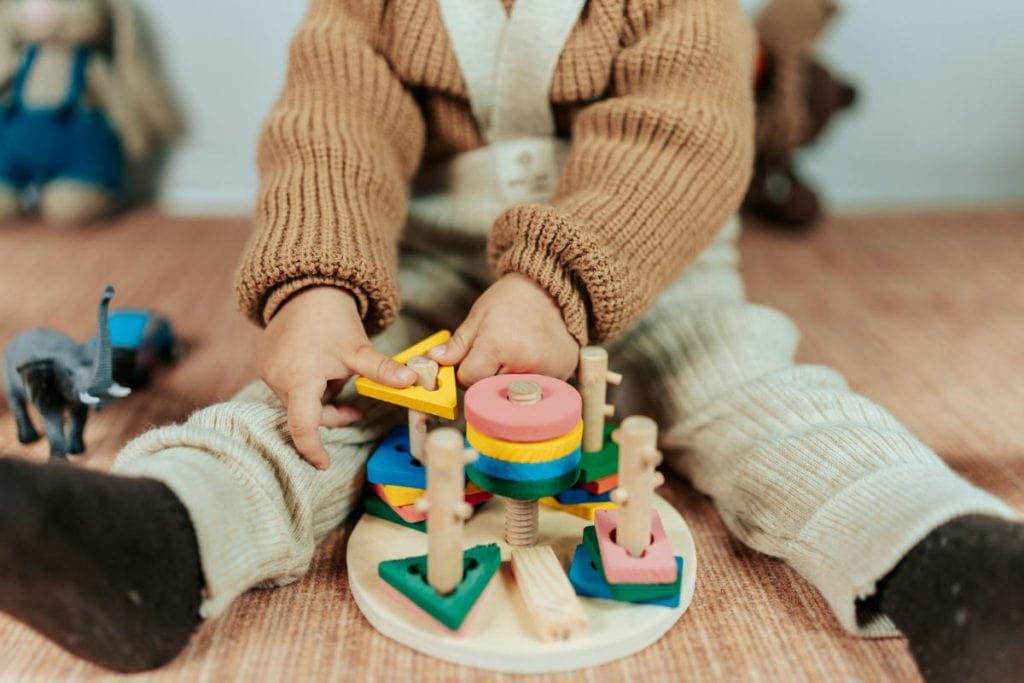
959	597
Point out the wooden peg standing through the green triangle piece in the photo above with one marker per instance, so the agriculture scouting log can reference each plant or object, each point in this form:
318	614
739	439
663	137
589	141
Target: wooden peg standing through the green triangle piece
446	508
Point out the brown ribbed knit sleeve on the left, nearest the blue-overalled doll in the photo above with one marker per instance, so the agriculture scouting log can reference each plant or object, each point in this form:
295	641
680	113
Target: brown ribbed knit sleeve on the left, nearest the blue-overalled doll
335	160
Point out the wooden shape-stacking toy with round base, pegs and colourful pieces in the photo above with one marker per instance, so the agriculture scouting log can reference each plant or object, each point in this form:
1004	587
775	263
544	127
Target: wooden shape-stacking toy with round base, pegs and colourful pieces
533	441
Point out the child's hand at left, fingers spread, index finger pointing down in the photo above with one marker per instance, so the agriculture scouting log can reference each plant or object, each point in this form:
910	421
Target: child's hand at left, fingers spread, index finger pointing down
311	349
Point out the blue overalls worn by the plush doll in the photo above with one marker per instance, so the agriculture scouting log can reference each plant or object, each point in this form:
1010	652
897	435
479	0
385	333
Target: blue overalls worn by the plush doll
71	142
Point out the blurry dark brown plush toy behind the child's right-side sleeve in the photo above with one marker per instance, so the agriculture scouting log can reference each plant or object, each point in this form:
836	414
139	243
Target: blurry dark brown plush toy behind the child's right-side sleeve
797	99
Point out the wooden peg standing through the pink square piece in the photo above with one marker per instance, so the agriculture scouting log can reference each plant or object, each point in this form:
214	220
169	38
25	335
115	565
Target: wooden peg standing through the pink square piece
638	456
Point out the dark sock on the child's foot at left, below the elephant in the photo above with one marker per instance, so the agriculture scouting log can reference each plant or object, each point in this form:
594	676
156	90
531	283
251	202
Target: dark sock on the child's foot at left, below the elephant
106	567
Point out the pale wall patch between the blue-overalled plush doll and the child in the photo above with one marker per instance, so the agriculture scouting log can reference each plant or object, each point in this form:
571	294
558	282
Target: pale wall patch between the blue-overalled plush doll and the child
227	62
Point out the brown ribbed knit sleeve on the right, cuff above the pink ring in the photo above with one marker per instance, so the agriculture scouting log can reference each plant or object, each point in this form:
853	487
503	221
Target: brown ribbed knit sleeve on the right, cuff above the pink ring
655	170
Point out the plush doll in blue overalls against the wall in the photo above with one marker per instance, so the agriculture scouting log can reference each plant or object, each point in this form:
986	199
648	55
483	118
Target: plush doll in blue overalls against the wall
78	99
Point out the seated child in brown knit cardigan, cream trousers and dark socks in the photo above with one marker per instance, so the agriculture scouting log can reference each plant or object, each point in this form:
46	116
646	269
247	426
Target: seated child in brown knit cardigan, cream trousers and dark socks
536	176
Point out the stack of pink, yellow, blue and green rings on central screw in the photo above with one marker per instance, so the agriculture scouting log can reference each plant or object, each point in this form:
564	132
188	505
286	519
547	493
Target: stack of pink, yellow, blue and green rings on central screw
527	451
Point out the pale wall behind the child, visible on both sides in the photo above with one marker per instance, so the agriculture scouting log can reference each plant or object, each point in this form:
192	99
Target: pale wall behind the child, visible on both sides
941	120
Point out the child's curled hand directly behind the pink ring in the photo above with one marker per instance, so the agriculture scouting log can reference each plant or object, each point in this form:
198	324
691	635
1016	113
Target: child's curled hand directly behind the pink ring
515	327
